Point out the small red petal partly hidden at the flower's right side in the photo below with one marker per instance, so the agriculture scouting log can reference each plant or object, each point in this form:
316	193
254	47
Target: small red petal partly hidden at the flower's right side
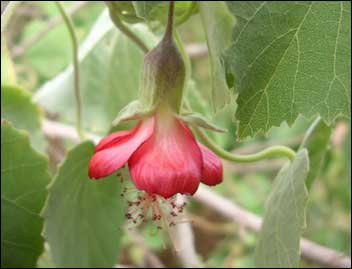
212	167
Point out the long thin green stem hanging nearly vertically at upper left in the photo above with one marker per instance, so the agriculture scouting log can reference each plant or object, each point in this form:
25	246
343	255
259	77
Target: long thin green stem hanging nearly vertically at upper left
71	30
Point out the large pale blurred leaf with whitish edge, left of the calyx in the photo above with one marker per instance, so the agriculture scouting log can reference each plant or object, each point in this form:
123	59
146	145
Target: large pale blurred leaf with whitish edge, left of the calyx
109	77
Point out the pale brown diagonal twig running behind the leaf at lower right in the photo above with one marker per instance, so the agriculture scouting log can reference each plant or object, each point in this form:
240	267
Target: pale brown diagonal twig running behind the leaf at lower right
309	250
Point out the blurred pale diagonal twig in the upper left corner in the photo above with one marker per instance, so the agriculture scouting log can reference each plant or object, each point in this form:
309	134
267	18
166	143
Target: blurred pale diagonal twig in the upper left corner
53	22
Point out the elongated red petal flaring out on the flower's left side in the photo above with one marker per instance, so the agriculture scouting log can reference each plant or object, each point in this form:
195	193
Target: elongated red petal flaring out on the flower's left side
110	158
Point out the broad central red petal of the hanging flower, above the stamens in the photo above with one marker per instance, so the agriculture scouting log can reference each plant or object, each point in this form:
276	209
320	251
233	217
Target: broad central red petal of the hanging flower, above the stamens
169	162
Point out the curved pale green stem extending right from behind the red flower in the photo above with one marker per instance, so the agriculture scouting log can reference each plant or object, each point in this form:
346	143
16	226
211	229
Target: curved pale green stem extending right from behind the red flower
264	154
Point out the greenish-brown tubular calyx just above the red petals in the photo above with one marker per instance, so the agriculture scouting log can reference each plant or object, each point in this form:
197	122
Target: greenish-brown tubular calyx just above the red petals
163	75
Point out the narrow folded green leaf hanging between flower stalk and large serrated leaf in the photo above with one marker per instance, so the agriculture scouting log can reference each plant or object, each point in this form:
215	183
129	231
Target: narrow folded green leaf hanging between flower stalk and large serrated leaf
218	23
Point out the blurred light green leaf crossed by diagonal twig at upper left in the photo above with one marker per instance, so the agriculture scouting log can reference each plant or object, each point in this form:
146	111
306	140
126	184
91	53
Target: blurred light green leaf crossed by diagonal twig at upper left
51	45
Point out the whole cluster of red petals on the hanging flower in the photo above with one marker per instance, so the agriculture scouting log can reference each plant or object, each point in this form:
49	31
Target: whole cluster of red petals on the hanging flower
162	155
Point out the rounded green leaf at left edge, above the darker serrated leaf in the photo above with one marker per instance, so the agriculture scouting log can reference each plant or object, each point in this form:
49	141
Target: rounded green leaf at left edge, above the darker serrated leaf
18	108
